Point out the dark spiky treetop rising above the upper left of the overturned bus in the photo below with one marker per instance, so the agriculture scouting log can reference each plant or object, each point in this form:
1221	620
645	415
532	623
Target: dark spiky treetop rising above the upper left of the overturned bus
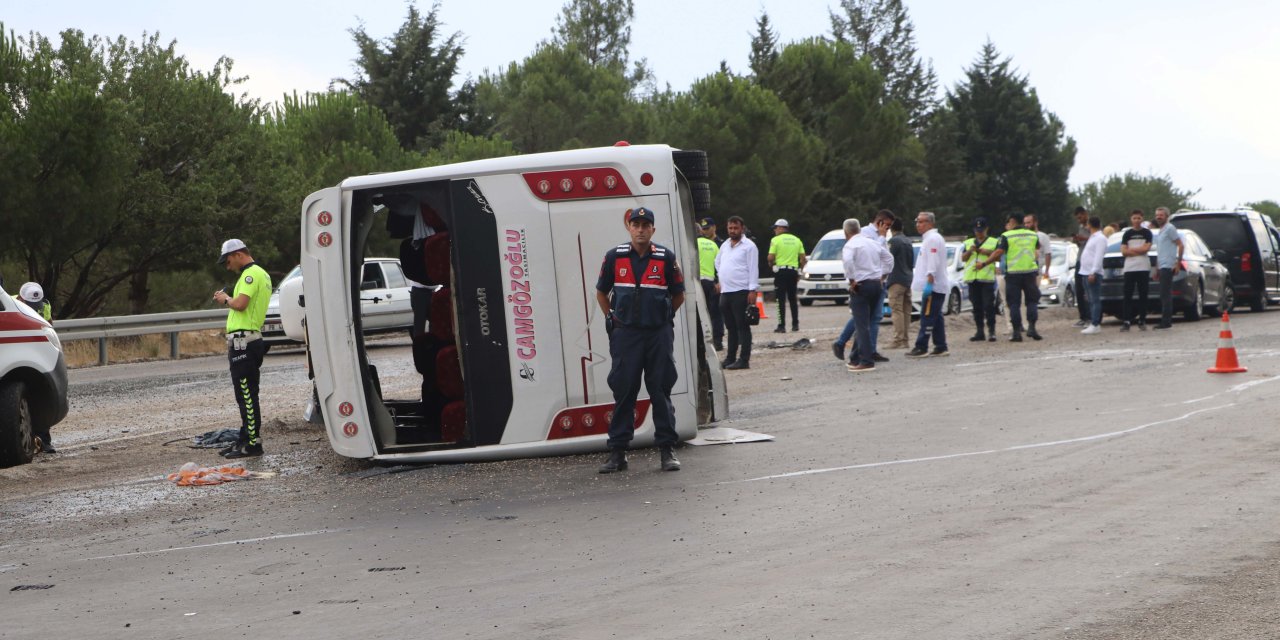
410	77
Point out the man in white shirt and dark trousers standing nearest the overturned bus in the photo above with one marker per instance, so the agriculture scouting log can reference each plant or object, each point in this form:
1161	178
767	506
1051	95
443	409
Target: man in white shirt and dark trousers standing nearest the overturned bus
739	268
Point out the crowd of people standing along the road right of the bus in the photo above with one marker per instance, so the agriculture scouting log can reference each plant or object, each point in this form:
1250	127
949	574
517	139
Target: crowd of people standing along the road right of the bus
881	266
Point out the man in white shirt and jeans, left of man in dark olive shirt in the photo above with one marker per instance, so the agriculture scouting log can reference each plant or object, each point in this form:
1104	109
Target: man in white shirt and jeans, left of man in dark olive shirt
867	260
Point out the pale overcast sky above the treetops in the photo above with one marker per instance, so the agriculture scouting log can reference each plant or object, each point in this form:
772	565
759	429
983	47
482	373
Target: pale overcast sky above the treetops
1182	88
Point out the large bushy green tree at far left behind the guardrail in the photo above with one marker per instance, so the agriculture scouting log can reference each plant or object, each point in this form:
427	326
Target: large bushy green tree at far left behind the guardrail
104	149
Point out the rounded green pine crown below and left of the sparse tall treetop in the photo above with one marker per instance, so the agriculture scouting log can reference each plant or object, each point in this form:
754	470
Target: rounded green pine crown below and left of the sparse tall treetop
840	99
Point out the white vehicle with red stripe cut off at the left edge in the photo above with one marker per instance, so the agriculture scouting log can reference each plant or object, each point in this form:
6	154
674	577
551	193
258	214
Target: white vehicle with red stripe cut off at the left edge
33	381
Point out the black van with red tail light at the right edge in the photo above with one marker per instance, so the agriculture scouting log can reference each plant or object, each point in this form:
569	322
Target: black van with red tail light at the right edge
1247	244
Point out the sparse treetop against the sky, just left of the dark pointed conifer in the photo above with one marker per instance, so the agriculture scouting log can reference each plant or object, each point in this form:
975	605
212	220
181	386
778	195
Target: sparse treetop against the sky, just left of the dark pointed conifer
883	31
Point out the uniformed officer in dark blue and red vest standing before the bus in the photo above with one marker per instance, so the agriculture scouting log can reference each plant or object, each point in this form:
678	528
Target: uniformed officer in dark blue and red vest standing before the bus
647	290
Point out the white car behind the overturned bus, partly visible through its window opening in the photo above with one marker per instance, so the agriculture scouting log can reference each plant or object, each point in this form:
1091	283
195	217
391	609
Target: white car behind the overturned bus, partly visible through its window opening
385	305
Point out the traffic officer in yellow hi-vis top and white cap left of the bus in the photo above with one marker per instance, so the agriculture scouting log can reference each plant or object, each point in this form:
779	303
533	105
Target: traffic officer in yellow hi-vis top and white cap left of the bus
245	348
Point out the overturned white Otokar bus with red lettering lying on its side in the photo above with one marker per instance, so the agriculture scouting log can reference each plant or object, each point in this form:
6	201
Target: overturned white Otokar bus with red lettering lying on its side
515	358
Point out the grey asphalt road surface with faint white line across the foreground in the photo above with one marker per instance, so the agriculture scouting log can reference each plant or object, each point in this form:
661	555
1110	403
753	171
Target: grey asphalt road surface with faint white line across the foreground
1080	487
